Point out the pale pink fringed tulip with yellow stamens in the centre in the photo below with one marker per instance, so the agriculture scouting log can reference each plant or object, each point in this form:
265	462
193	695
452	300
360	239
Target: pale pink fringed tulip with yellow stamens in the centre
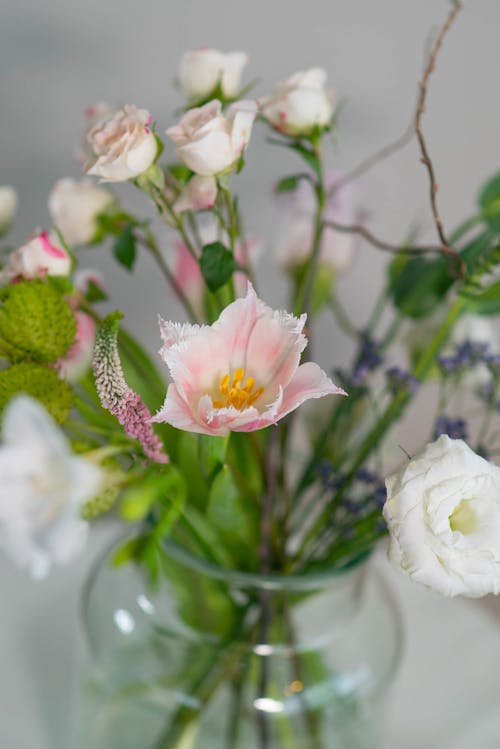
240	374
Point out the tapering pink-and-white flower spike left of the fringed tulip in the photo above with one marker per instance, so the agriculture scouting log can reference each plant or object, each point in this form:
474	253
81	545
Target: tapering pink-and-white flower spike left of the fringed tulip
116	396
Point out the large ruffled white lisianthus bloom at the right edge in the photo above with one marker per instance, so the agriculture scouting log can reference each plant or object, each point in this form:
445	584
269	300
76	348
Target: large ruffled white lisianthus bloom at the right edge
443	514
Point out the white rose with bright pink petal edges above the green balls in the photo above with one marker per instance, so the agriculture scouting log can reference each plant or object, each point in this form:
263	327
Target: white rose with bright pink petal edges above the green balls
41	256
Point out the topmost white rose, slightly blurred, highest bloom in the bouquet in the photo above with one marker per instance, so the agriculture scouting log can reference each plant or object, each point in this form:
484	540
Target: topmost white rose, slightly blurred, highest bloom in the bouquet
202	70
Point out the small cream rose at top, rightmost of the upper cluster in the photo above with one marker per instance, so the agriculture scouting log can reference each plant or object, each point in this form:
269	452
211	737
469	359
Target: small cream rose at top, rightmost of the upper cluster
299	104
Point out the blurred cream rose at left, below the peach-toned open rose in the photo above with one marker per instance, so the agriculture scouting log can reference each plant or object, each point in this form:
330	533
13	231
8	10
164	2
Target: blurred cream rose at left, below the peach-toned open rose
74	207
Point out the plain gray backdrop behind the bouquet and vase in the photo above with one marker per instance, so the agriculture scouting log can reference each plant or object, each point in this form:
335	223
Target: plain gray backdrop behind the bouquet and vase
57	57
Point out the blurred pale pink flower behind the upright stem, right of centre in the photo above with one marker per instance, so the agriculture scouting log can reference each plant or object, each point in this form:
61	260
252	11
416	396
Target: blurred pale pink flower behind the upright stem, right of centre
338	249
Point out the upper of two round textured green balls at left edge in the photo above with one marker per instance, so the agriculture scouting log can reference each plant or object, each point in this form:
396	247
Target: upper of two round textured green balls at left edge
36	323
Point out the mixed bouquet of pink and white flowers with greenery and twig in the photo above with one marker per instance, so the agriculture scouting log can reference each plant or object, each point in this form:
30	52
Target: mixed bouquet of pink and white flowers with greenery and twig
227	461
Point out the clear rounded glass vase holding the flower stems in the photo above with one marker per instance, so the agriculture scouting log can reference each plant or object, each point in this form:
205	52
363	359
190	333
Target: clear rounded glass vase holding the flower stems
218	659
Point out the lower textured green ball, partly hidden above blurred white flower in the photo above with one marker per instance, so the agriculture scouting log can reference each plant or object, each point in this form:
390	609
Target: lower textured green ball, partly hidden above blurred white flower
41	383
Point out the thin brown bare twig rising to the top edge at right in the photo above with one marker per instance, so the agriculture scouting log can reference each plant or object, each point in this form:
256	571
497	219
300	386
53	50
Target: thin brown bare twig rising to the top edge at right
425	157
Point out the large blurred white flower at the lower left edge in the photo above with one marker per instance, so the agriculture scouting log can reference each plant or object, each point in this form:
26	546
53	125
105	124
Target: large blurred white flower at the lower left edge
43	488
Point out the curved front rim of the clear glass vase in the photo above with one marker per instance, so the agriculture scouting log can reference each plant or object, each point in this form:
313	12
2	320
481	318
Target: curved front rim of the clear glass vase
265	581
